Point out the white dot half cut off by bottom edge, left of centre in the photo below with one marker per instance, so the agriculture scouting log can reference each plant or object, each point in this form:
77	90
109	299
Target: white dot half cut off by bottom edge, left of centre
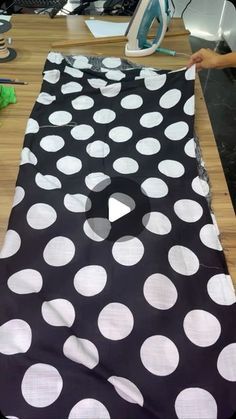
89	409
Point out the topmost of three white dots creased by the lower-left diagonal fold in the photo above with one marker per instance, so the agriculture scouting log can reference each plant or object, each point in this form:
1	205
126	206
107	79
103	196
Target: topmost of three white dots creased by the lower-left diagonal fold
58	312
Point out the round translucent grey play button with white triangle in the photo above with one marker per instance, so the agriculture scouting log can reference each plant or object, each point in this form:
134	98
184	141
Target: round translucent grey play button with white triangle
117	209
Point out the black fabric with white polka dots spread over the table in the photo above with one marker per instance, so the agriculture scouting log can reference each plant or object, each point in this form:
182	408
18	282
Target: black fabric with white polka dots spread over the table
131	319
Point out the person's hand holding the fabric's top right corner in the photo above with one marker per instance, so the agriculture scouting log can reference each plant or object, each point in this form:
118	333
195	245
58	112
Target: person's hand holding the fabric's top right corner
205	58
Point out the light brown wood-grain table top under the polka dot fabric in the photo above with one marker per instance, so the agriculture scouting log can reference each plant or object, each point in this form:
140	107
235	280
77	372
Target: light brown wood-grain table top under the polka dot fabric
32	38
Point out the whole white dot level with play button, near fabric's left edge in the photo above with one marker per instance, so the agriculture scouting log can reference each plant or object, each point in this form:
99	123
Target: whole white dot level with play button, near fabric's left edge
41	216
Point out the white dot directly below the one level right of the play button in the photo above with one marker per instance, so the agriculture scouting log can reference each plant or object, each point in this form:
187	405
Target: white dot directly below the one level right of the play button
183	260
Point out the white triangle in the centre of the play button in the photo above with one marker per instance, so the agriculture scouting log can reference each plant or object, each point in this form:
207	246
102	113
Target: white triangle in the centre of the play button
119	205
